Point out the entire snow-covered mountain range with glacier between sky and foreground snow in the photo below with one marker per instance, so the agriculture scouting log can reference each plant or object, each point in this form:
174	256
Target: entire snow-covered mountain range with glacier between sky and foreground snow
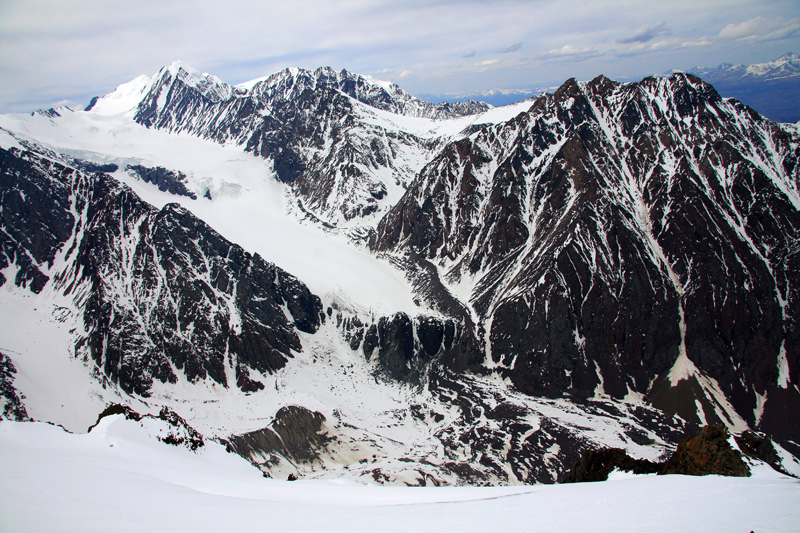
336	278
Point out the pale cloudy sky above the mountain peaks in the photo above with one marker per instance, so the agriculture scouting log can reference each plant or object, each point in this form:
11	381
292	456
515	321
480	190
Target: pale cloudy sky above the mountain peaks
70	50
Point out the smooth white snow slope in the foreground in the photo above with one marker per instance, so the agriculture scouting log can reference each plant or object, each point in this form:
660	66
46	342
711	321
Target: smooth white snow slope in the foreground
119	478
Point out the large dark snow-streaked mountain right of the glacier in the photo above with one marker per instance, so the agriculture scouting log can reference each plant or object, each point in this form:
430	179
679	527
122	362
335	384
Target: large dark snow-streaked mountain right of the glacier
625	238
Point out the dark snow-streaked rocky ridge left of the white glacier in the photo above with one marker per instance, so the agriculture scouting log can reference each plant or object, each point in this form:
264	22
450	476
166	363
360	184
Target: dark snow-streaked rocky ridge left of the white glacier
160	291
